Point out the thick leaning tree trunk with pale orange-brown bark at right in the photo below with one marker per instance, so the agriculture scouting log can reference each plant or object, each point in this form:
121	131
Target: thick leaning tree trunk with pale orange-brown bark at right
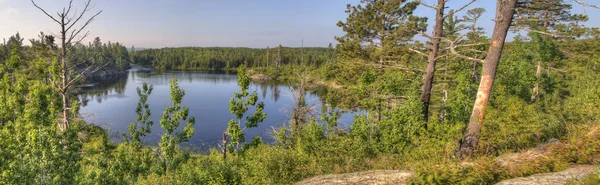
504	14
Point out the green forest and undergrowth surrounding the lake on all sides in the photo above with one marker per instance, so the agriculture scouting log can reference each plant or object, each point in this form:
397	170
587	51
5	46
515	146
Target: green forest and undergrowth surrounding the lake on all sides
448	106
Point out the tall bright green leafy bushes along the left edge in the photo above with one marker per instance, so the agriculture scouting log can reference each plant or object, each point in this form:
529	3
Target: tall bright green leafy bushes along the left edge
33	150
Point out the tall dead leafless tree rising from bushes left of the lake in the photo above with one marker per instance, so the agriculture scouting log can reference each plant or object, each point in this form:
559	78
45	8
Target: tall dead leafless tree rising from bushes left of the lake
72	25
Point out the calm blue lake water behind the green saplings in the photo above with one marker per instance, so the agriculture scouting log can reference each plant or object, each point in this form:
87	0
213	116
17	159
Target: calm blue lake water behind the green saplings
111	104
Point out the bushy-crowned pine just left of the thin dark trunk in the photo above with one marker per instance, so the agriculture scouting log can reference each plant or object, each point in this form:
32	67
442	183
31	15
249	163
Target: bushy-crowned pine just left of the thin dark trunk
375	31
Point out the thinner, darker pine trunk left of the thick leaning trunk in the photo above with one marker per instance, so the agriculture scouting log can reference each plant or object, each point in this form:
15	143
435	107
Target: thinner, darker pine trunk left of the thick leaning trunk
431	58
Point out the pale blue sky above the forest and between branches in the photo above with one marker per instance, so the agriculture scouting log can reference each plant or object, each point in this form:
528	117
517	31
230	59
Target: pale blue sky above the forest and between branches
241	23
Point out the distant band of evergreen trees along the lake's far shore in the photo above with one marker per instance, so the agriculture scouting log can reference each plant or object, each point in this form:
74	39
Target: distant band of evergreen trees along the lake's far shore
216	58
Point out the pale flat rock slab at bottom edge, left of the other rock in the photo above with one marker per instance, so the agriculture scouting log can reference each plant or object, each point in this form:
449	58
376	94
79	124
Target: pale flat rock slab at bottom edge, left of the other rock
378	177
